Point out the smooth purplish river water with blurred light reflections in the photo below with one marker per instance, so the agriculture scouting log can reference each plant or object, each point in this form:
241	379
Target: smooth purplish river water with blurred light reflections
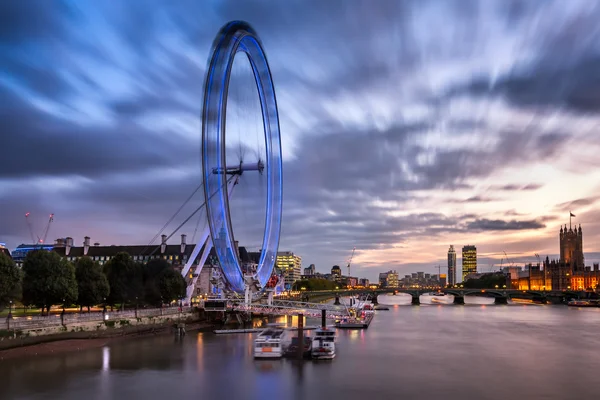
476	351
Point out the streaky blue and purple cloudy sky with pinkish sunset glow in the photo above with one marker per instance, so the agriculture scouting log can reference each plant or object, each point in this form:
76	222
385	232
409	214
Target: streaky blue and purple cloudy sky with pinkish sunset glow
406	126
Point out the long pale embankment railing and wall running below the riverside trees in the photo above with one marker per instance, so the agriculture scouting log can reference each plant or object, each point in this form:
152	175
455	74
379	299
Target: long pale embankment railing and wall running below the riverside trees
38	322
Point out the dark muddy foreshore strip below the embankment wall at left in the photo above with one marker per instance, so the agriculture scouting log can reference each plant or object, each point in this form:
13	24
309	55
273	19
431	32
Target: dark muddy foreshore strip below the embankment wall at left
69	342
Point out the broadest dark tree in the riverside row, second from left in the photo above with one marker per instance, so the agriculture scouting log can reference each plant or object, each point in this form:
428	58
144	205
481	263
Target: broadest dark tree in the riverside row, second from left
48	279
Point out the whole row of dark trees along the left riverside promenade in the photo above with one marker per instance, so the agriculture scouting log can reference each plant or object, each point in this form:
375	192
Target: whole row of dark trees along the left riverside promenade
47	279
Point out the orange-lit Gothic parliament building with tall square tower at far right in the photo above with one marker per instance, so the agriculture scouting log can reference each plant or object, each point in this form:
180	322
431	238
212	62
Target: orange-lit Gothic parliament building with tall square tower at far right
567	273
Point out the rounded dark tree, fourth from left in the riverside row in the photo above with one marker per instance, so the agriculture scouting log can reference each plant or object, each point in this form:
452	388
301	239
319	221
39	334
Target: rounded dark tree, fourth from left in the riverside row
124	279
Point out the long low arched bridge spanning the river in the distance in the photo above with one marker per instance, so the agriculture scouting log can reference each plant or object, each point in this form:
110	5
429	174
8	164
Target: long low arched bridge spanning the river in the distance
501	296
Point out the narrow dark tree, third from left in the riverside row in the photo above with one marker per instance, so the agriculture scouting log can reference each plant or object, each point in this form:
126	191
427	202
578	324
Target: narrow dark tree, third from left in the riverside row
91	281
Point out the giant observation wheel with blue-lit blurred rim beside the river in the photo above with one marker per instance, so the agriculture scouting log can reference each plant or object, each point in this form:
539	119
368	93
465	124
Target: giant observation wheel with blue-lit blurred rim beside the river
238	37
